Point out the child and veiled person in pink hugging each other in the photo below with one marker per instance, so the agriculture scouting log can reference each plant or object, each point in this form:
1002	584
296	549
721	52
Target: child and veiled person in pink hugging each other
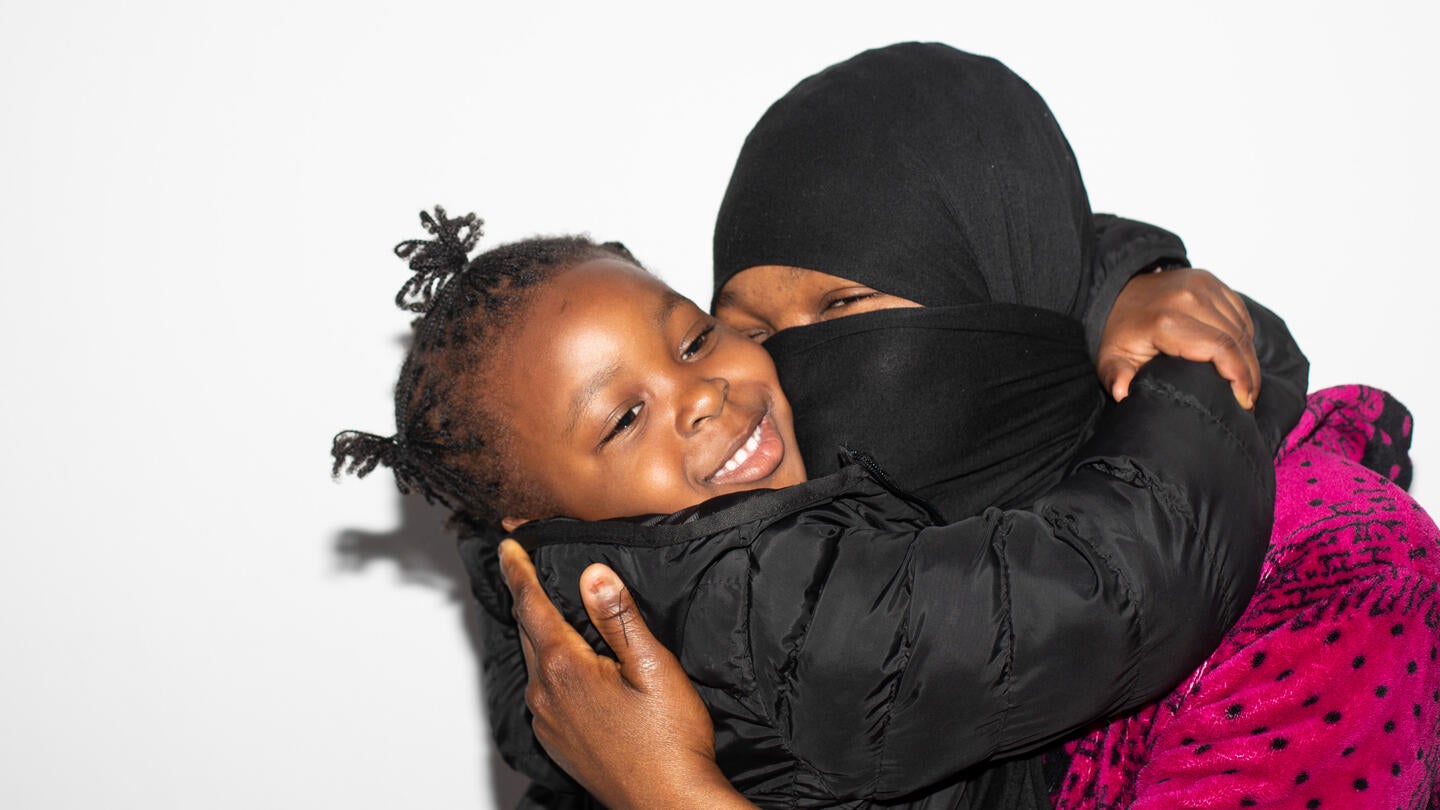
902	540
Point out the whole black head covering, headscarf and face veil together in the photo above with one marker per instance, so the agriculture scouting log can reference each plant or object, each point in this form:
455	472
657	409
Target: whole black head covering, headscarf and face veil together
938	177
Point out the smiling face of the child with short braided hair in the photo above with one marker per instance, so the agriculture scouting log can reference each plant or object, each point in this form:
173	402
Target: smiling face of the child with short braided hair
626	399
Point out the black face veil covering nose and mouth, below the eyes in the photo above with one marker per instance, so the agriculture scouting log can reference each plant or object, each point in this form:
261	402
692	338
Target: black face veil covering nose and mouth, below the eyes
966	407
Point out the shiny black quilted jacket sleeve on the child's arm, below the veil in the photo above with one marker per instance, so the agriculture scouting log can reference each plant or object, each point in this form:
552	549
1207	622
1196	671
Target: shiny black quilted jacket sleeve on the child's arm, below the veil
919	655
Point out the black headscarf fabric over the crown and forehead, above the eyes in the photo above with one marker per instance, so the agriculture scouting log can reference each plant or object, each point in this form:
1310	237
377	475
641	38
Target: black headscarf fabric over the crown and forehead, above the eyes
917	169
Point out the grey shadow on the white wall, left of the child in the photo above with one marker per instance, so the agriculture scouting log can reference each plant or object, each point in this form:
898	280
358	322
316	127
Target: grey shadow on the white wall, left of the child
424	553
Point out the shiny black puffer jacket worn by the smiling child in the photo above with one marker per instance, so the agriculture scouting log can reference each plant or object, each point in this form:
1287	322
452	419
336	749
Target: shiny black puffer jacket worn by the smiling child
853	651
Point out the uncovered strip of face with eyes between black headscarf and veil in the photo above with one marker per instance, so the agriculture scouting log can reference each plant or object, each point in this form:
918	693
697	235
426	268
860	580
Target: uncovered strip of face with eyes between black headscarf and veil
768	299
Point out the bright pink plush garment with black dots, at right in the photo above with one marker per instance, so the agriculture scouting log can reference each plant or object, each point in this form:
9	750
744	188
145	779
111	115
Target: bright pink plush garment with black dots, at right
1327	693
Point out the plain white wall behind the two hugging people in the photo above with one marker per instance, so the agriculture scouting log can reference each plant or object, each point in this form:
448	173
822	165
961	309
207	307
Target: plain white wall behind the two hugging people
198	202
